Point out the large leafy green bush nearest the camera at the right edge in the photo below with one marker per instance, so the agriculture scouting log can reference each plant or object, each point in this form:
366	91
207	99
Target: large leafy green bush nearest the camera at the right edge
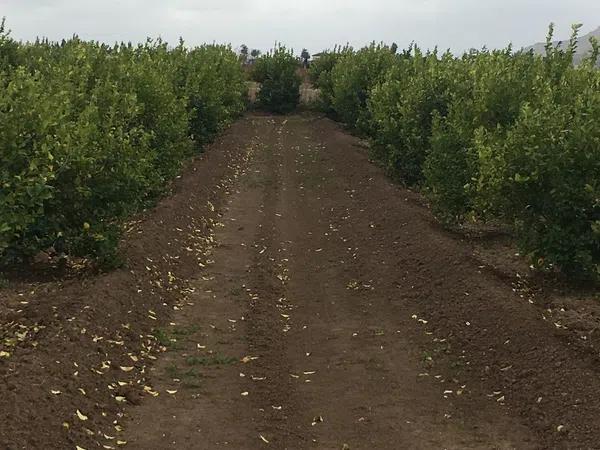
545	175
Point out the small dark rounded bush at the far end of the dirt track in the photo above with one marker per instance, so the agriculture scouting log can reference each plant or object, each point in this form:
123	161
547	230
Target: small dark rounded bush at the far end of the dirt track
277	71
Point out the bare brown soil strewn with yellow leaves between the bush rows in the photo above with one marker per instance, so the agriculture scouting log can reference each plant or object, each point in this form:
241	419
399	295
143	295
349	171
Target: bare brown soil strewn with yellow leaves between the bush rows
289	296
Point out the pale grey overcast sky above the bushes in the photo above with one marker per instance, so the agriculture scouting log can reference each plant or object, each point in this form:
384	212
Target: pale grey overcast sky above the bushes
315	24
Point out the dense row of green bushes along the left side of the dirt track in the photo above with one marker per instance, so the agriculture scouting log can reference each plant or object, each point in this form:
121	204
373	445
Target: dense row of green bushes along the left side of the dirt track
90	134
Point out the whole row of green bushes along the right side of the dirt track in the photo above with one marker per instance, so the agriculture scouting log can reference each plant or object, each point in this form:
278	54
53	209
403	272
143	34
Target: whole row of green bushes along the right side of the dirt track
499	136
